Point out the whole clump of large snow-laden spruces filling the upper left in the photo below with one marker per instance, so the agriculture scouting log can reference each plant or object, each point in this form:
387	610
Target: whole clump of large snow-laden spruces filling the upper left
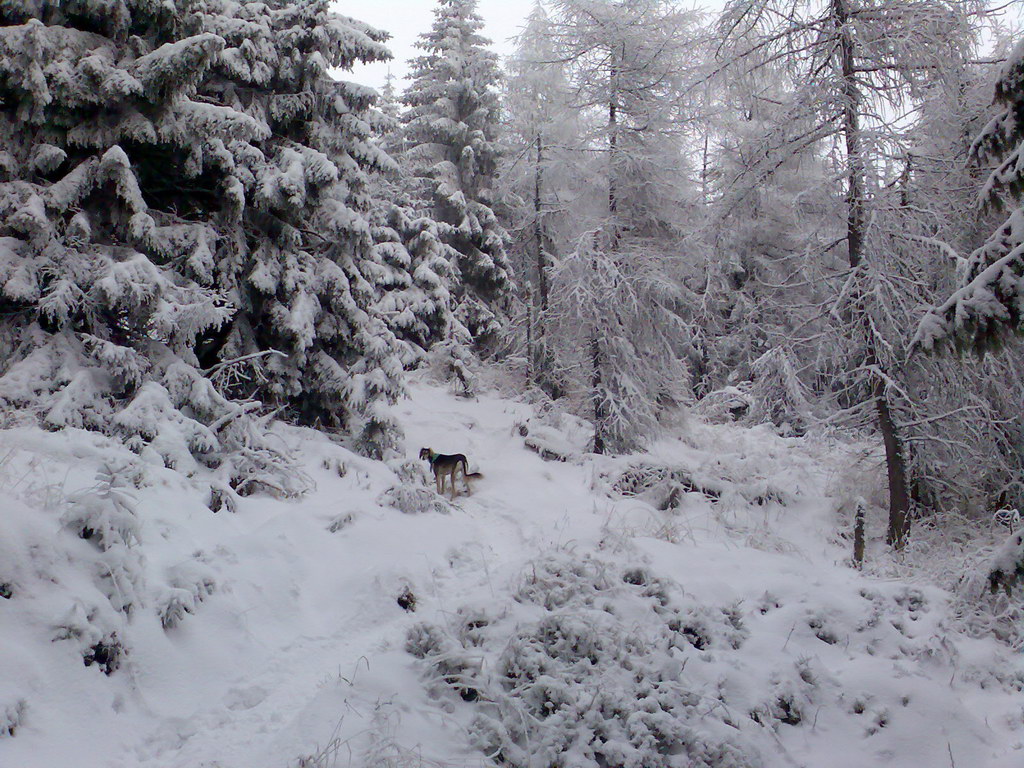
166	172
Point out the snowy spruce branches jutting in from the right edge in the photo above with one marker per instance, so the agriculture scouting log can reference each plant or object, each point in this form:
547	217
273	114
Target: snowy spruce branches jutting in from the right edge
990	306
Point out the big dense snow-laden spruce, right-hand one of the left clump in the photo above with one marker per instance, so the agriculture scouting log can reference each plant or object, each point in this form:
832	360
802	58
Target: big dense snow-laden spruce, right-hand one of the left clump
307	271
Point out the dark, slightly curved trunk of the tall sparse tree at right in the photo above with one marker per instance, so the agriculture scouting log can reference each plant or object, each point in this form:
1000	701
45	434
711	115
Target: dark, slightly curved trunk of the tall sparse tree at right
900	501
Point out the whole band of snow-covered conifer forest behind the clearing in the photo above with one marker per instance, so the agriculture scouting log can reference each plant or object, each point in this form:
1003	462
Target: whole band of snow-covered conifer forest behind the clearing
796	214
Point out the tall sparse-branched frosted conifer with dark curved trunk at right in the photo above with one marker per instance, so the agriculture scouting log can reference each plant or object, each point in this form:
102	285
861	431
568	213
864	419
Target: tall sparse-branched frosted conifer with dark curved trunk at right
854	62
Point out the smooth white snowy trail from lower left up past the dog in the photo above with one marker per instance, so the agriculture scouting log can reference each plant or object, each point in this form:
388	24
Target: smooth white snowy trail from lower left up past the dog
344	586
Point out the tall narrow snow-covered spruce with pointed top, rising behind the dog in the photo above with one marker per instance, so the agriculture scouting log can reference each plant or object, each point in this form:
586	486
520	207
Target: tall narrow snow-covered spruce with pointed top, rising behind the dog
450	131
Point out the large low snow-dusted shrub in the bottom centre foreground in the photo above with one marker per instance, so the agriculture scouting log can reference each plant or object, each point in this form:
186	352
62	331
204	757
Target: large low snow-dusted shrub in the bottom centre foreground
590	678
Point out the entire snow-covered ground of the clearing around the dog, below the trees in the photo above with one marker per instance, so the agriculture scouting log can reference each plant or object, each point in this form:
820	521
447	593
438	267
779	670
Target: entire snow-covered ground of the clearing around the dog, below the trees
554	617
